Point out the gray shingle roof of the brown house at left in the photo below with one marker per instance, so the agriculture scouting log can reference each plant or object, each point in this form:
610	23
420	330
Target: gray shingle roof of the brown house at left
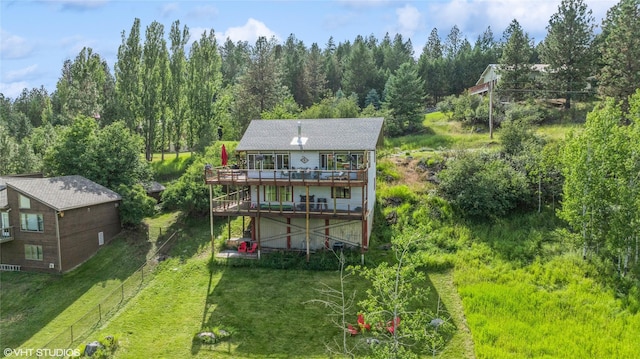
63	193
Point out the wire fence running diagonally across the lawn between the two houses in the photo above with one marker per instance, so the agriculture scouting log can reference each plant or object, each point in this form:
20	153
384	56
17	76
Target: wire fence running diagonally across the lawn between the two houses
71	336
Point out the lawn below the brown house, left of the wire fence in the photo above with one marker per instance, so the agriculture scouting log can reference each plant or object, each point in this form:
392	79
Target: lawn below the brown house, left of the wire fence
36	307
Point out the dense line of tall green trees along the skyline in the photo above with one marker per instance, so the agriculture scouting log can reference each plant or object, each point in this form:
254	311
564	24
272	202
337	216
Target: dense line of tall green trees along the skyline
176	97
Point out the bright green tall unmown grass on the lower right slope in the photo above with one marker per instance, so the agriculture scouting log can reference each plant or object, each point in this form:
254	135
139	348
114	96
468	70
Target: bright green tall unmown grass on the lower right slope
527	294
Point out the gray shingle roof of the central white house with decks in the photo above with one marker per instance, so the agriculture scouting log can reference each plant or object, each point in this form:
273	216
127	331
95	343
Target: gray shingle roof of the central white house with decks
322	134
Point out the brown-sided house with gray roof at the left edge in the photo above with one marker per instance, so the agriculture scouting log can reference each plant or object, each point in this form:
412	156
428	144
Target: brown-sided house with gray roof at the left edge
54	224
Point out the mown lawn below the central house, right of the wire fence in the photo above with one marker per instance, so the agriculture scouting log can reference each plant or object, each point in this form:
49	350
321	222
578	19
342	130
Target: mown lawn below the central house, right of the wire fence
267	309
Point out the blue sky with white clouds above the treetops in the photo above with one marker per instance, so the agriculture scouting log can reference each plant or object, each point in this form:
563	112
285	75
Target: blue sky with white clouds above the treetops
36	37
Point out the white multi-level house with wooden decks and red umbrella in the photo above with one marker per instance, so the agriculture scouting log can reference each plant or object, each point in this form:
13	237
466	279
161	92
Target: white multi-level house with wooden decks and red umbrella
305	184
